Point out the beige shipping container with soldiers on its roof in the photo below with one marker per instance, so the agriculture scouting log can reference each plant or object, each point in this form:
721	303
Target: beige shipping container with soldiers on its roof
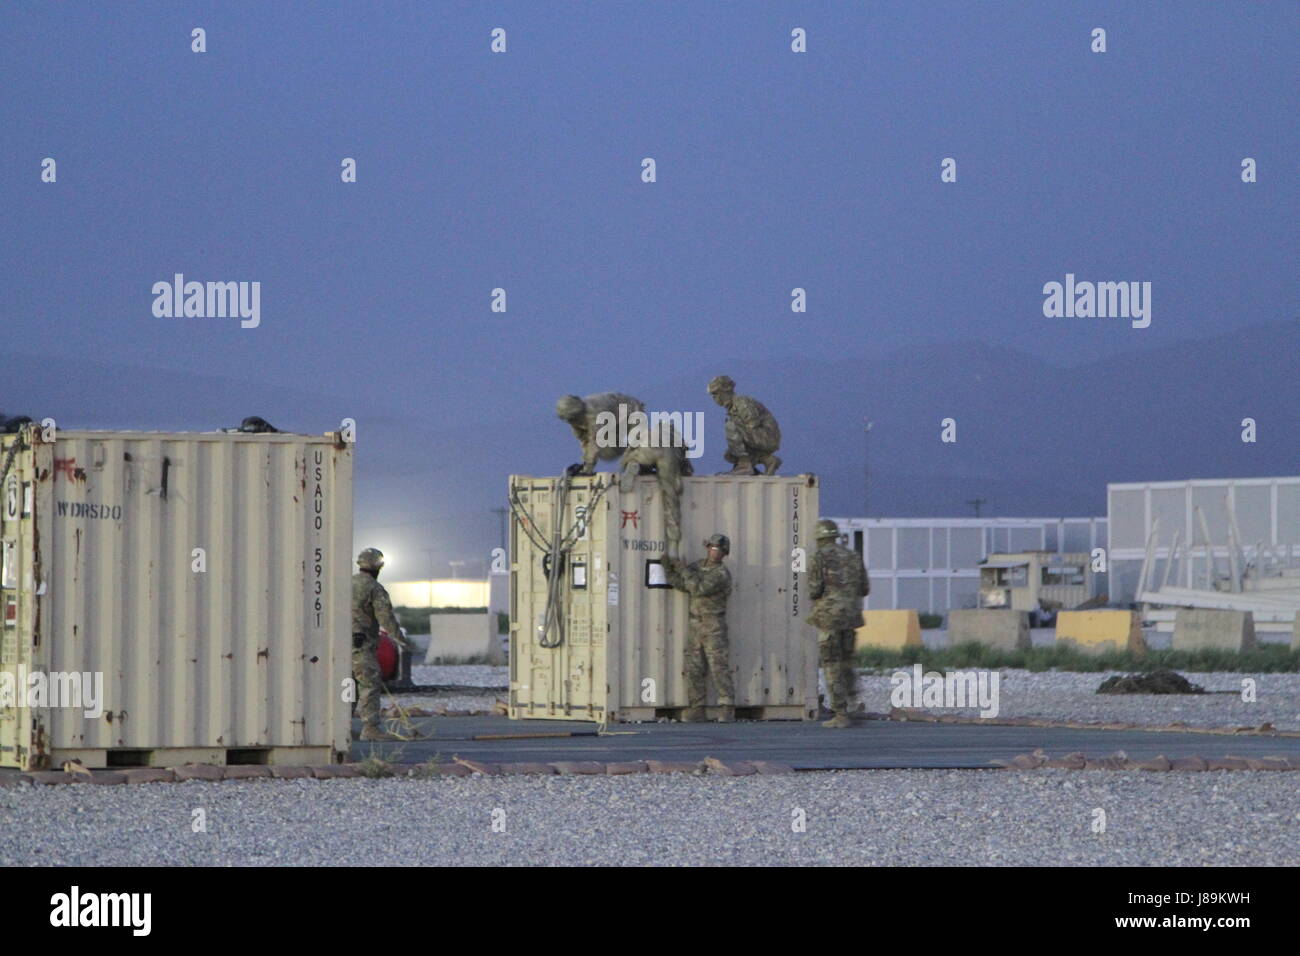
614	648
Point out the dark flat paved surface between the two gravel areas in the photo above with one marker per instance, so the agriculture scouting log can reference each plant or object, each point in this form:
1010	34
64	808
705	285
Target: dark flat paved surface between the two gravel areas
872	745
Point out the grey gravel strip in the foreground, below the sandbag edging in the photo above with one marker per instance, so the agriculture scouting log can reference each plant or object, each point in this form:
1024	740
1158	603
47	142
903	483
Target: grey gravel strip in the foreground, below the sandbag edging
895	817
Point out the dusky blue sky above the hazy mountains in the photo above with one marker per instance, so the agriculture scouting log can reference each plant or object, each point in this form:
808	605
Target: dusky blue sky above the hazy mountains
523	171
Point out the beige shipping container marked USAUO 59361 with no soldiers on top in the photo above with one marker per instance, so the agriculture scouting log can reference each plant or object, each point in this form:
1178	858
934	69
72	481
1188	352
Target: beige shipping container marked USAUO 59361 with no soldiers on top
201	582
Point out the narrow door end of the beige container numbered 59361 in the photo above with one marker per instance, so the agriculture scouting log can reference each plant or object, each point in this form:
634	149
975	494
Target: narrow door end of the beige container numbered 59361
18	603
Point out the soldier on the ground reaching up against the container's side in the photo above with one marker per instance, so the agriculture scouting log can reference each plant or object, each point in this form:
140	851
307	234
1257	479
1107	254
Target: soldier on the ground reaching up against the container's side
709	585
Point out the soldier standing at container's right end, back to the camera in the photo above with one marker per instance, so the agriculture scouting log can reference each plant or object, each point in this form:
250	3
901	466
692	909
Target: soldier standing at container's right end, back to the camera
838	582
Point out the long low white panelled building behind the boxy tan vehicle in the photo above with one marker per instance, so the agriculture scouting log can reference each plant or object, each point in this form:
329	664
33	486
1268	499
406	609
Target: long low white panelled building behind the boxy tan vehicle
933	564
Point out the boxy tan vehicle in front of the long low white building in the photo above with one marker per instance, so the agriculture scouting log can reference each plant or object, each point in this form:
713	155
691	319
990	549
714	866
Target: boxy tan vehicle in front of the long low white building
1041	583
